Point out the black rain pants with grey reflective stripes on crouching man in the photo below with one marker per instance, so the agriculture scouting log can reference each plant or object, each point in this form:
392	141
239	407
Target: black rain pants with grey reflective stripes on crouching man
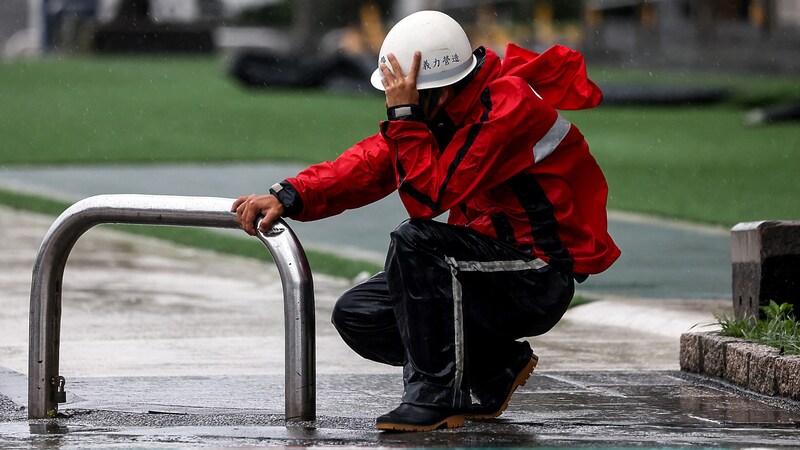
449	307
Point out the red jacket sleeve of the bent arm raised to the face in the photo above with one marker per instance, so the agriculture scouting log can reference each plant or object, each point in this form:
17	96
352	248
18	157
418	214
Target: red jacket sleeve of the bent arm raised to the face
481	155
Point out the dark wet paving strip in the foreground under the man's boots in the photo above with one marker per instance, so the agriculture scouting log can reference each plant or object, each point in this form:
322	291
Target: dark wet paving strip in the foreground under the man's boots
555	409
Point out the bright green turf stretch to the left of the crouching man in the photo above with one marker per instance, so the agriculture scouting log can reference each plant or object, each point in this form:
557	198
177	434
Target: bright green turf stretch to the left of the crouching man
145	110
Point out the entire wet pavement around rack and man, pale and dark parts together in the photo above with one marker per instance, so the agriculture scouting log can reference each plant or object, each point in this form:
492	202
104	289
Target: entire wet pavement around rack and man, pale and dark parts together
167	346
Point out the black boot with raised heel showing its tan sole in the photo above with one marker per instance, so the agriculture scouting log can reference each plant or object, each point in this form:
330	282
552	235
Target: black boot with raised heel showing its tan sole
493	397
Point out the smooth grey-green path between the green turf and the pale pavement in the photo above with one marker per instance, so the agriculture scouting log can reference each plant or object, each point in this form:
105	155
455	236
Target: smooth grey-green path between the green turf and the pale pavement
661	259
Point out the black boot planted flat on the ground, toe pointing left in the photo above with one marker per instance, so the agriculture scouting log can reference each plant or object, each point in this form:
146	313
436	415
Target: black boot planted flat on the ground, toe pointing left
409	417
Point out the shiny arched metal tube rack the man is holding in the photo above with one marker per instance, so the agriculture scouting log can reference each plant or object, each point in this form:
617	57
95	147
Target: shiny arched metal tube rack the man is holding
45	385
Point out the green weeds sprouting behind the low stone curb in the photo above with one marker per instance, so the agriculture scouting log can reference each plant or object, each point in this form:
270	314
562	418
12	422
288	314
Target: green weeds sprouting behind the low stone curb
779	329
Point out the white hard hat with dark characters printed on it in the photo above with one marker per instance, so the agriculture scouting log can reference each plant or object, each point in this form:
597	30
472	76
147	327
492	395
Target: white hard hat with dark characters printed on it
446	53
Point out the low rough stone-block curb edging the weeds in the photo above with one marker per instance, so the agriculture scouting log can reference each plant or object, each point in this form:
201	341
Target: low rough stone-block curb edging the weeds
755	367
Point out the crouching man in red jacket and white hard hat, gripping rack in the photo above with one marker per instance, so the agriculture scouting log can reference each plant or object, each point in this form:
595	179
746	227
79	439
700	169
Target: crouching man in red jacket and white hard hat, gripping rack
480	138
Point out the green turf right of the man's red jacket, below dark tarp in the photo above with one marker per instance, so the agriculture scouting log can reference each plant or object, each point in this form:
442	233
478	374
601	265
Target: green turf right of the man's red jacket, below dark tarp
698	164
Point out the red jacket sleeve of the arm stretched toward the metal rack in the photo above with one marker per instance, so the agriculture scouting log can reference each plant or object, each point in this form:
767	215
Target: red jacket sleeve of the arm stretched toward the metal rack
361	175
